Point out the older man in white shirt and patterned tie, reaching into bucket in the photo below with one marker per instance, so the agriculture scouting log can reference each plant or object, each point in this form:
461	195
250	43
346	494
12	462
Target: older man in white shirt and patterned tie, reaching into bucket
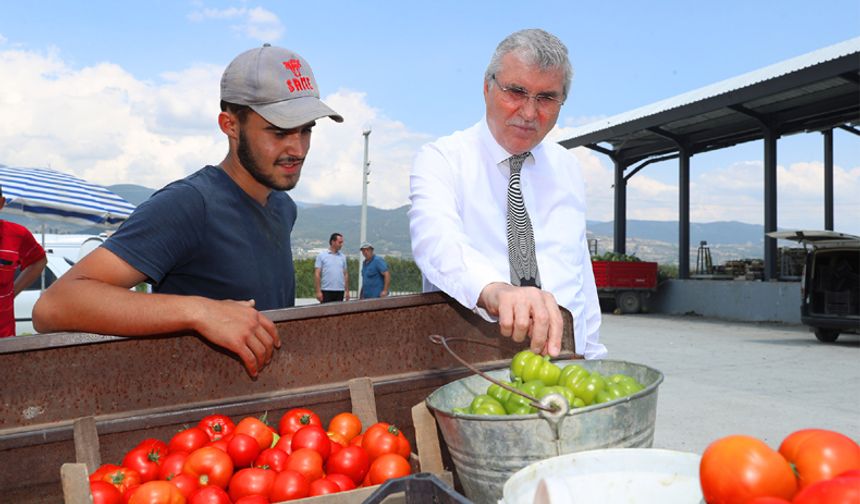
498	214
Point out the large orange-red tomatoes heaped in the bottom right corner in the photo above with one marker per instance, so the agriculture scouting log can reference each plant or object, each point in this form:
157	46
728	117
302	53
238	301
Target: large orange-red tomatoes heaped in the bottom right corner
811	466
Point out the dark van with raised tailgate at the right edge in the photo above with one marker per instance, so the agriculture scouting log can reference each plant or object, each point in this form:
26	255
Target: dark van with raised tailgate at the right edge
830	285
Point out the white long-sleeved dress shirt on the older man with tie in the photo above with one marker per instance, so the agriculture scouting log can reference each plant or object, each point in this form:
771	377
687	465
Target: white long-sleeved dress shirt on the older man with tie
458	223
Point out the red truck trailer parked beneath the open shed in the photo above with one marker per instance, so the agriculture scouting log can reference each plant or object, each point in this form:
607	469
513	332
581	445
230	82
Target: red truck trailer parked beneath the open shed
629	283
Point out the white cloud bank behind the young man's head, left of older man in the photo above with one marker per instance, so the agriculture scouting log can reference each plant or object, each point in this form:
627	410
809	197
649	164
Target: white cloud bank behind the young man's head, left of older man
102	124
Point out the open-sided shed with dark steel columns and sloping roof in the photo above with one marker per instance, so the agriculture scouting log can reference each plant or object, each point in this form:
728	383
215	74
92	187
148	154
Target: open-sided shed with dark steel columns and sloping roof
816	92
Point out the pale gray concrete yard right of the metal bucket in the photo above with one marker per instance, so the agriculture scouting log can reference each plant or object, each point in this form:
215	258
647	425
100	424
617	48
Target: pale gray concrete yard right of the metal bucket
722	378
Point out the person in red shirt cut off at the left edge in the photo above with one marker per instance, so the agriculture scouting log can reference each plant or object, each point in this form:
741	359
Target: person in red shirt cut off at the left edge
18	249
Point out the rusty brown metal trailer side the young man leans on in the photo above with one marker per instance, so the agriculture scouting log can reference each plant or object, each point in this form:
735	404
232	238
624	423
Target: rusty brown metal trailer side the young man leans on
136	388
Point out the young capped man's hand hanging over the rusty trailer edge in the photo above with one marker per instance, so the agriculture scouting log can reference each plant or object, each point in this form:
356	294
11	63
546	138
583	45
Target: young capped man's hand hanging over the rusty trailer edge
239	327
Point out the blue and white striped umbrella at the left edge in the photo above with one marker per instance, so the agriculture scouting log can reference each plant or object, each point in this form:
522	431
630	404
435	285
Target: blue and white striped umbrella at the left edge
43	193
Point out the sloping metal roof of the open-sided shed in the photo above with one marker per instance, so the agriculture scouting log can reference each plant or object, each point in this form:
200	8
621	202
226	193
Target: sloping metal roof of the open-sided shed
816	91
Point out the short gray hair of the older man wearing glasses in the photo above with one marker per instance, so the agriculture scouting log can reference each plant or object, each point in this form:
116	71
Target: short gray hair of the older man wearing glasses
536	47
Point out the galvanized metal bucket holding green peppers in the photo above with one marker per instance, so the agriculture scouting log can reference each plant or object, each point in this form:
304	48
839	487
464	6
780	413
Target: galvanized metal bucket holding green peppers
487	450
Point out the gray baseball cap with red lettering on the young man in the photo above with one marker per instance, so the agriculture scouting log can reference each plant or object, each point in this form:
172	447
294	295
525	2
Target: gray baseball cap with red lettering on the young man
276	83
